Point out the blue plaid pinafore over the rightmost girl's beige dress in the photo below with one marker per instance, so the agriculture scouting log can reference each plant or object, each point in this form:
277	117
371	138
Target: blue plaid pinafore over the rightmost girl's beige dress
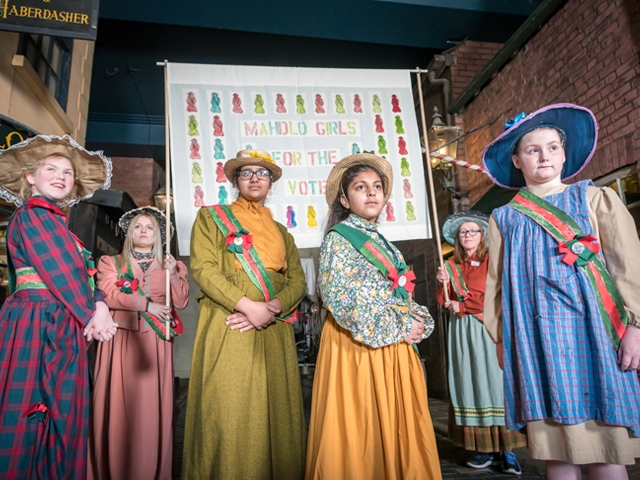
558	360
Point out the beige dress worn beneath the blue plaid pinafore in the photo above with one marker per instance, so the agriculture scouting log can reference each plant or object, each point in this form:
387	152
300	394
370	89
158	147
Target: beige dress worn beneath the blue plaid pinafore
592	441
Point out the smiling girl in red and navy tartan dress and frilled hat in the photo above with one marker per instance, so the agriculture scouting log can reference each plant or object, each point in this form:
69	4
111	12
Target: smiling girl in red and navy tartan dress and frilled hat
53	307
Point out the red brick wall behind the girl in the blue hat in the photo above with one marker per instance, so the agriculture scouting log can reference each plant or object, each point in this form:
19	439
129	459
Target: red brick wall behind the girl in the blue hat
588	53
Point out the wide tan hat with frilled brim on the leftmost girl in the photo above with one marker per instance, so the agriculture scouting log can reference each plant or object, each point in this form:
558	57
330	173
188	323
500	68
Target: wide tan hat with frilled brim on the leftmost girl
92	169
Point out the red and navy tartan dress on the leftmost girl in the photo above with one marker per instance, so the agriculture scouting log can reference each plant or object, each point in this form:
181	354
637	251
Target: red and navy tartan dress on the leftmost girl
43	355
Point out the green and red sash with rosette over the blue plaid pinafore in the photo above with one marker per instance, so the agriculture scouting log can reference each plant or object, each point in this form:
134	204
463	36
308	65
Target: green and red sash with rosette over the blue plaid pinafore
582	250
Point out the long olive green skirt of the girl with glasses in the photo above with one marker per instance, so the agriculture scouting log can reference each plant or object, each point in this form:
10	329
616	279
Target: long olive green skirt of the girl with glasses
245	417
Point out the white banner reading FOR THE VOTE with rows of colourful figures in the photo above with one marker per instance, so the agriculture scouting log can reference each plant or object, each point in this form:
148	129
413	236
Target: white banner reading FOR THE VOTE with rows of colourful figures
307	119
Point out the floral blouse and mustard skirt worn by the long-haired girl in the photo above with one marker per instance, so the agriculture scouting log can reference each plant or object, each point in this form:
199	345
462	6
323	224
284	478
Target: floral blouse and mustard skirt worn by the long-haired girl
369	414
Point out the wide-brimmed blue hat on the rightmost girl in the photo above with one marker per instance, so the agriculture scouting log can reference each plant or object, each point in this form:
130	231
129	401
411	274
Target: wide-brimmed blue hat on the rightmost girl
581	136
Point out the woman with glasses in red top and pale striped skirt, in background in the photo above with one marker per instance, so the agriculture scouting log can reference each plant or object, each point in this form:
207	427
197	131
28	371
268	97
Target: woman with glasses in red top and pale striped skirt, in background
476	417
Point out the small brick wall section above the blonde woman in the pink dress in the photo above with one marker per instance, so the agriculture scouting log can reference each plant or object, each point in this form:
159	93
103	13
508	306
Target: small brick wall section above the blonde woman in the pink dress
139	177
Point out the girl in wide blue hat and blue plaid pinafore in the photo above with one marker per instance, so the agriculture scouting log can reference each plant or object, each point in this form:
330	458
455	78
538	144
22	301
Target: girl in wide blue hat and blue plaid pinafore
562	298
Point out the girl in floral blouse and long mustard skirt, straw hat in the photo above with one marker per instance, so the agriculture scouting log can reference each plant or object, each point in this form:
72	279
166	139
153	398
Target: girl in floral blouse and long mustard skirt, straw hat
369	414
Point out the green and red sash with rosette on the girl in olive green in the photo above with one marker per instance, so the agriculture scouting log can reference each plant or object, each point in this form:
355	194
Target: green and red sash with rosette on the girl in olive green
240	242
